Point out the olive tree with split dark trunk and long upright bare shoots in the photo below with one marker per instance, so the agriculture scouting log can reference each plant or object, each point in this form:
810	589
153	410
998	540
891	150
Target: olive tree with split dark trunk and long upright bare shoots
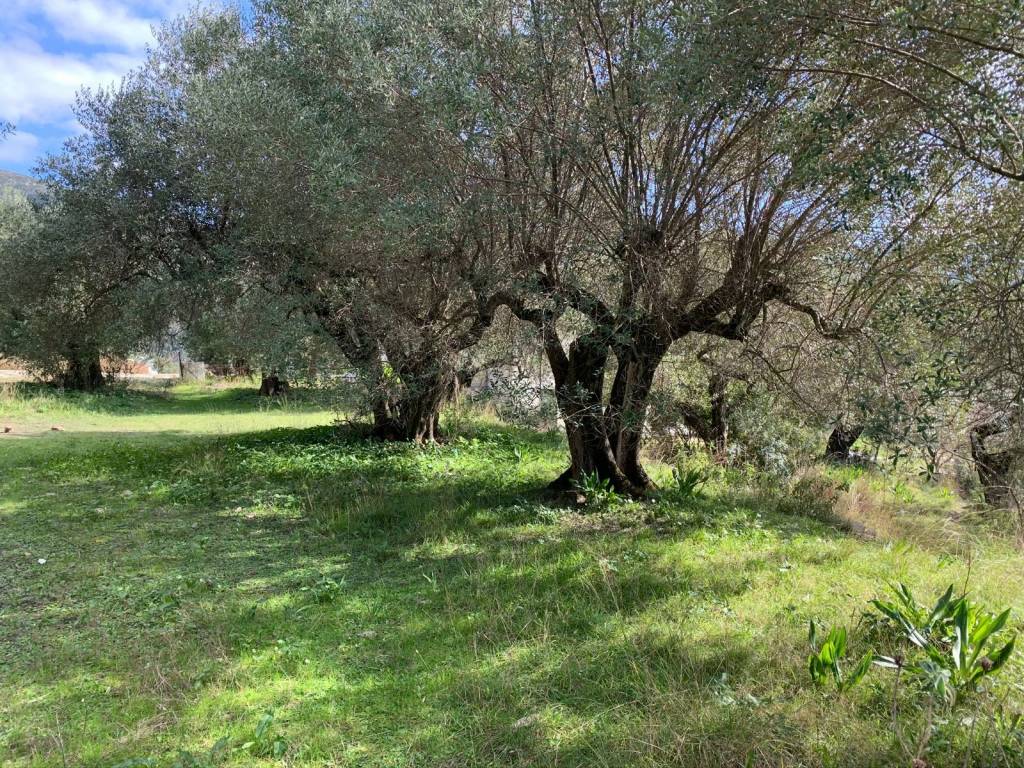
694	182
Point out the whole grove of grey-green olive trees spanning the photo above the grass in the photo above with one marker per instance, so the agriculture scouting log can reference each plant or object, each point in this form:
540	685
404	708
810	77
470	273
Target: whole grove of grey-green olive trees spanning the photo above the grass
819	200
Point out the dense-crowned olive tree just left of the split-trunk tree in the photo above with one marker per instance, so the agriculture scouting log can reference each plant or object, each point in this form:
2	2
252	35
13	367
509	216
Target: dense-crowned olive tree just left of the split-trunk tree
342	202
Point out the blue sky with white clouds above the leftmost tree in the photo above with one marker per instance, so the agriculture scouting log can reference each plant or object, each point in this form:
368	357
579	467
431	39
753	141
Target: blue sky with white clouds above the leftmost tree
51	49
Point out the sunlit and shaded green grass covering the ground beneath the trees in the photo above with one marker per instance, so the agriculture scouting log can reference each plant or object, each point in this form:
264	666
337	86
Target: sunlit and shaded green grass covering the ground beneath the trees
210	559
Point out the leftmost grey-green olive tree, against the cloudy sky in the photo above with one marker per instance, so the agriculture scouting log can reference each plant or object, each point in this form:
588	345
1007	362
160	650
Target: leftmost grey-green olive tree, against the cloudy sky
124	230
